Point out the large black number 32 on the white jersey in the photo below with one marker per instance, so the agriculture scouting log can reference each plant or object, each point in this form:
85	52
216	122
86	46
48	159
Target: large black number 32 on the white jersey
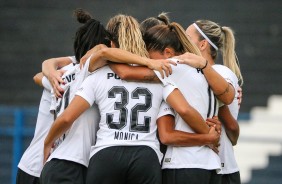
121	106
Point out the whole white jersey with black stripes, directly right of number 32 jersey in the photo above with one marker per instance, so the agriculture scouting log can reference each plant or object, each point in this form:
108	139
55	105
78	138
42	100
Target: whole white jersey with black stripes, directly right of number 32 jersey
193	85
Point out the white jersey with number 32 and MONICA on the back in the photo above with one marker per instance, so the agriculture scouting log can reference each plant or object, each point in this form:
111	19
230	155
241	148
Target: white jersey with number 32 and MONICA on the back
128	110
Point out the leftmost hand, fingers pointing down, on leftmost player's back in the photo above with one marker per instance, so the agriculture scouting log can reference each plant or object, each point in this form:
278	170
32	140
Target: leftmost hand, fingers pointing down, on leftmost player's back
55	79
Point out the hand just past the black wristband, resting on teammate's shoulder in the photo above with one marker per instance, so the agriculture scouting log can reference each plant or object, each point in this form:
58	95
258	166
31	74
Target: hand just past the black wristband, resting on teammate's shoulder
191	59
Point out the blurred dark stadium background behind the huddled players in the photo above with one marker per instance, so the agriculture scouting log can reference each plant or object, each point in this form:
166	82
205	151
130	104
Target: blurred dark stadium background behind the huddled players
32	31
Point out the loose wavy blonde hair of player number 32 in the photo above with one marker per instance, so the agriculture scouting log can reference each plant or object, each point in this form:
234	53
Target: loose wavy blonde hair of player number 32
125	33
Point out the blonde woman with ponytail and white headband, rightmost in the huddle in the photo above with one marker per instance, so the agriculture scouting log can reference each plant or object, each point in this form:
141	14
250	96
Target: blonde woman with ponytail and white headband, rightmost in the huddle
210	38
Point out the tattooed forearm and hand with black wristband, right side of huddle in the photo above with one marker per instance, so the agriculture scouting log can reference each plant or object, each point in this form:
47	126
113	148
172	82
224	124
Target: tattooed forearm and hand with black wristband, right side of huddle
223	90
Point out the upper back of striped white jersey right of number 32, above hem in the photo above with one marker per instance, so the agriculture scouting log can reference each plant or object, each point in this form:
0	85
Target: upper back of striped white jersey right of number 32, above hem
193	85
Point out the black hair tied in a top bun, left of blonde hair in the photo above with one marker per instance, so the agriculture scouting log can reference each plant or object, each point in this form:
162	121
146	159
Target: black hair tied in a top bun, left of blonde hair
89	35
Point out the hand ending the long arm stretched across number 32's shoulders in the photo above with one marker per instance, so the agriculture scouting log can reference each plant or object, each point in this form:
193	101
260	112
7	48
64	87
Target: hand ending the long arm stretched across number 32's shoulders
161	65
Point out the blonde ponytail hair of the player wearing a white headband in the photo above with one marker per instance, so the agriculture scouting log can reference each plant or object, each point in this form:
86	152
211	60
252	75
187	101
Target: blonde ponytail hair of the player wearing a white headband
223	38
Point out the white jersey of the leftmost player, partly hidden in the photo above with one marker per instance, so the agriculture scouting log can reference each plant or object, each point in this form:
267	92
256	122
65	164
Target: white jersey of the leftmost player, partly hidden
32	159
